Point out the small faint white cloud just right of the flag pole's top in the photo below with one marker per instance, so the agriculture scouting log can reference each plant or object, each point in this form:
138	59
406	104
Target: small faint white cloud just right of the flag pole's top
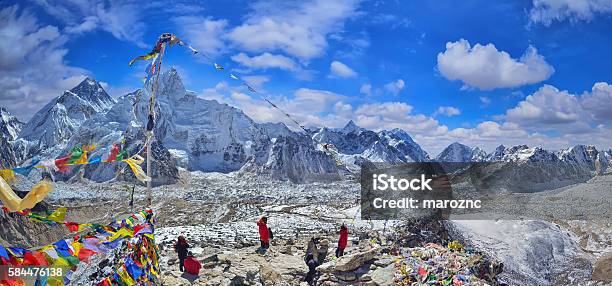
204	34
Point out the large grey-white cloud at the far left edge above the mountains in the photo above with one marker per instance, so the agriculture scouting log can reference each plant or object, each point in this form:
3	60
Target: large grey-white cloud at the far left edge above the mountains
34	73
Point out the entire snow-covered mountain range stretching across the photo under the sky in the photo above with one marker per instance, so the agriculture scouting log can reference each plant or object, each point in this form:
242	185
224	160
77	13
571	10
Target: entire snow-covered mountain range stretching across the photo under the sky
204	135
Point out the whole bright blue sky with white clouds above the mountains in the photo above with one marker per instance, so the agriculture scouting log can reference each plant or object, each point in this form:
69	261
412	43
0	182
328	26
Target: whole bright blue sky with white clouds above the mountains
482	73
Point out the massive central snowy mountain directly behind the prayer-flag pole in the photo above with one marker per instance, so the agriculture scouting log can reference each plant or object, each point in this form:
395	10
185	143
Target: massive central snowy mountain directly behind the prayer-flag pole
203	135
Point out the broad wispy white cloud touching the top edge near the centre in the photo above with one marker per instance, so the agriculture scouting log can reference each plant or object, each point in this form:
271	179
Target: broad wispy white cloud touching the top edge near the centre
298	29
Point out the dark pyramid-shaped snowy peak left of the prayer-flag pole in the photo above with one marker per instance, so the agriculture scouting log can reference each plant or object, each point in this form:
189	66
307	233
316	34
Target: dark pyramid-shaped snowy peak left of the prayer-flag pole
61	118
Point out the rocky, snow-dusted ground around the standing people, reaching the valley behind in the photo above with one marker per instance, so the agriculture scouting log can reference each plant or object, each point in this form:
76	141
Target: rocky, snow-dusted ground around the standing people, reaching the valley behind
217	213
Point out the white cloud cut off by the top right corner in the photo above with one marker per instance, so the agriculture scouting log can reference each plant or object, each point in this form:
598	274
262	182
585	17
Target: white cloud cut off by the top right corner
545	12
